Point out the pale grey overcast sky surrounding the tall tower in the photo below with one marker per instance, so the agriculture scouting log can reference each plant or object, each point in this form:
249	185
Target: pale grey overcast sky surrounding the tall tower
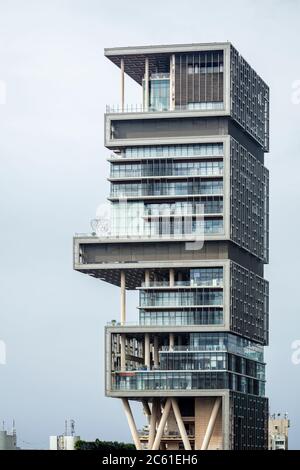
52	178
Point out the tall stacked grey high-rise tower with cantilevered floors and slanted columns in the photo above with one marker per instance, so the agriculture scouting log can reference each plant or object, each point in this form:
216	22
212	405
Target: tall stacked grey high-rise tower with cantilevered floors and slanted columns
188	230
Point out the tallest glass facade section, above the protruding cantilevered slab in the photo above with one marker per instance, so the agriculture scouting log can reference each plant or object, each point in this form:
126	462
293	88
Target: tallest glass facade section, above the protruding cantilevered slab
202	189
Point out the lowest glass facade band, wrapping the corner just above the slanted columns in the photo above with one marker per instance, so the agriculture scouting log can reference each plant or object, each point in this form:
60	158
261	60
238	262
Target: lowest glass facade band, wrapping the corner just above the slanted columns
195	361
